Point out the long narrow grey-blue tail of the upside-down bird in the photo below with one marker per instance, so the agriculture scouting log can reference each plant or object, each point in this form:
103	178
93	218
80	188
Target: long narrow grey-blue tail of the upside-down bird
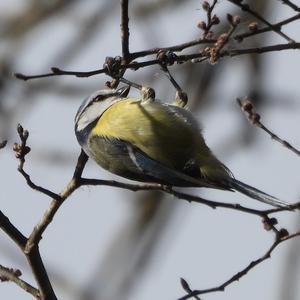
256	194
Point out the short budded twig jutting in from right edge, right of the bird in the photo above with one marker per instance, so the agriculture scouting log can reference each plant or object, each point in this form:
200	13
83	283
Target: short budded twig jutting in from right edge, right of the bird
254	119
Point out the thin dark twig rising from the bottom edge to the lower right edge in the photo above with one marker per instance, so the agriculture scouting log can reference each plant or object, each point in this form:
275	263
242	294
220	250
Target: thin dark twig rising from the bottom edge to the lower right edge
244	271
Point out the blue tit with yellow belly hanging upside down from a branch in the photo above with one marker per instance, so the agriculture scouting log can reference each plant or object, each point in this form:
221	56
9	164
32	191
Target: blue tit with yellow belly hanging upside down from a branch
146	140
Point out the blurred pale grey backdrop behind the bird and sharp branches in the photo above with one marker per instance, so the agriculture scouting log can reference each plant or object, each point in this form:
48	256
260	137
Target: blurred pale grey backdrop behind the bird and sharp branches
106	243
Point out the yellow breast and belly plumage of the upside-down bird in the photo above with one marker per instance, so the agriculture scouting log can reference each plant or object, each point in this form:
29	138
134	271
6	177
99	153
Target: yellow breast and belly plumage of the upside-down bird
152	128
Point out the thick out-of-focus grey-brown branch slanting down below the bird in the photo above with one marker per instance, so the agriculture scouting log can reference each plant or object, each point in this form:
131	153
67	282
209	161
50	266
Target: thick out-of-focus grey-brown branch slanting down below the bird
131	249
